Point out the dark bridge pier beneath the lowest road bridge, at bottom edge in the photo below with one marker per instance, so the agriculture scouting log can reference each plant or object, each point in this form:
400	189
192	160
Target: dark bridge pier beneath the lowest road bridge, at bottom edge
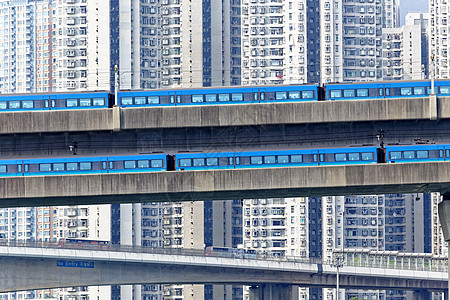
272	291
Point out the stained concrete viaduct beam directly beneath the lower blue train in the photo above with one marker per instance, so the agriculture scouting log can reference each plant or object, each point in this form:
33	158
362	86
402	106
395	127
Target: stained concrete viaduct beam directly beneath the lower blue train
225	184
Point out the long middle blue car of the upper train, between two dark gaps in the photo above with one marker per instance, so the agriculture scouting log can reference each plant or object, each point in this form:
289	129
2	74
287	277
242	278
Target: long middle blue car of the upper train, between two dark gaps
219	95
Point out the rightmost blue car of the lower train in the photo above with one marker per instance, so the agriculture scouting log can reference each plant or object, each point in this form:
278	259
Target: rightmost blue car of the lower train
417	153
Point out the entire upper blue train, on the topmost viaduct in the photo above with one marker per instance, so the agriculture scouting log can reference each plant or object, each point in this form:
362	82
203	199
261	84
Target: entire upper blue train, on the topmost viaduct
224	95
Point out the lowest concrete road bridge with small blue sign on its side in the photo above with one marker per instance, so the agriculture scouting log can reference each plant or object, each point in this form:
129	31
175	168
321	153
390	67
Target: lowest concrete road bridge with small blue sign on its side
48	266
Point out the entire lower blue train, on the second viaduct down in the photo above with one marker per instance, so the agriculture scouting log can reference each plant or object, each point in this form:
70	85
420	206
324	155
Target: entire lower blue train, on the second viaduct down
222	160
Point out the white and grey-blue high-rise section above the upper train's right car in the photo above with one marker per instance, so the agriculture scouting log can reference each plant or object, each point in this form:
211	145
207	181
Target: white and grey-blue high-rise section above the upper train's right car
351	38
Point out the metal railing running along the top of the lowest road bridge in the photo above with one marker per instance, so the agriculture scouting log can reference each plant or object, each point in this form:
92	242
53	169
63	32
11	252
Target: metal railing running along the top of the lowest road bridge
350	257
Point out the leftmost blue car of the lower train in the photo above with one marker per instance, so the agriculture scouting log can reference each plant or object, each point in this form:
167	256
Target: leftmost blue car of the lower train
83	165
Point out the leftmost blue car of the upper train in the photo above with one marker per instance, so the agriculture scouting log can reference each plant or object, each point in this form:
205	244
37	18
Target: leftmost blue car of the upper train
54	101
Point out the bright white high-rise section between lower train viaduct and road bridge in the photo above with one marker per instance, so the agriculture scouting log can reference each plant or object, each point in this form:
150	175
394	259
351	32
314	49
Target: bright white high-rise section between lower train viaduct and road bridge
282	227
